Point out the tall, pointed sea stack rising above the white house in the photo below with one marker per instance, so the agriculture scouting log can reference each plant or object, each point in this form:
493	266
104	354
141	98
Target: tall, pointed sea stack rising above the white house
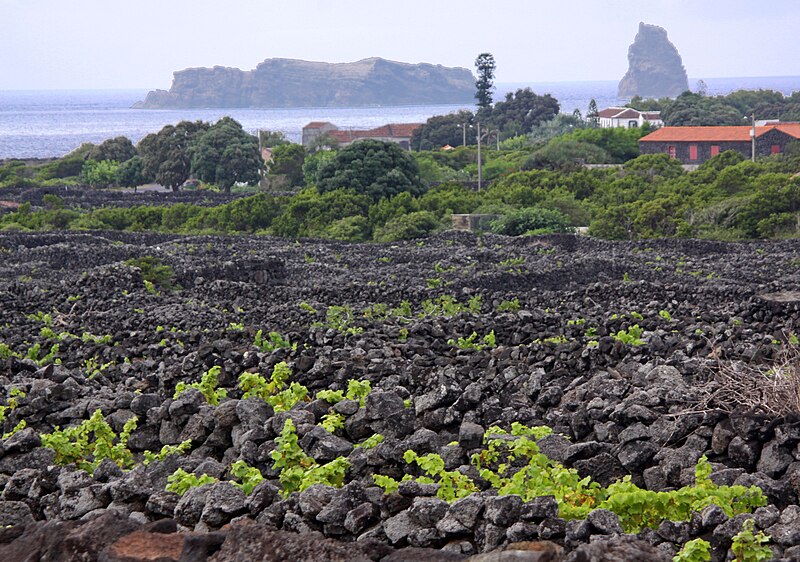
655	68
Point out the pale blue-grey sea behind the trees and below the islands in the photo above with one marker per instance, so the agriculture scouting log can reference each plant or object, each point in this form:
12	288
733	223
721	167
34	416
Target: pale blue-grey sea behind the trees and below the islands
43	124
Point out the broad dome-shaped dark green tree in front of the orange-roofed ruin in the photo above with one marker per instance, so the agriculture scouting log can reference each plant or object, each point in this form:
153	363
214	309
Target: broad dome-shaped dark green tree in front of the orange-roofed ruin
373	168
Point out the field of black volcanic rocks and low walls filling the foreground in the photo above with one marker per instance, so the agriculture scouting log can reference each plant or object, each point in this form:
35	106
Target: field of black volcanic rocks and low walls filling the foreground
648	407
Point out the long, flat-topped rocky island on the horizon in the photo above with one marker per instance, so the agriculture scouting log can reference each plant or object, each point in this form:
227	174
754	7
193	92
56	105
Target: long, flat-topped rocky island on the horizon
296	83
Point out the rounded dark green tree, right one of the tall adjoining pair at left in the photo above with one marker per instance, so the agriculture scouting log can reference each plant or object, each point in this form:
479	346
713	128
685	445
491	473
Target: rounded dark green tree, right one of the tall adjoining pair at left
225	154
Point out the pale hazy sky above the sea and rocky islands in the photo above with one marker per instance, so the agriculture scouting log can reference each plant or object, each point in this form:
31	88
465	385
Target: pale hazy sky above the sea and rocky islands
53	44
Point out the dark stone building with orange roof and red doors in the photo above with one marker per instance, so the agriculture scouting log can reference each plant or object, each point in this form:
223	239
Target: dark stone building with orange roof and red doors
695	145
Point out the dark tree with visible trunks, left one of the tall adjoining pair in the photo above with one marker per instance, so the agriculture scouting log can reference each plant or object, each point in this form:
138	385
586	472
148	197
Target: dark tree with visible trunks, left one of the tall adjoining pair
165	155
